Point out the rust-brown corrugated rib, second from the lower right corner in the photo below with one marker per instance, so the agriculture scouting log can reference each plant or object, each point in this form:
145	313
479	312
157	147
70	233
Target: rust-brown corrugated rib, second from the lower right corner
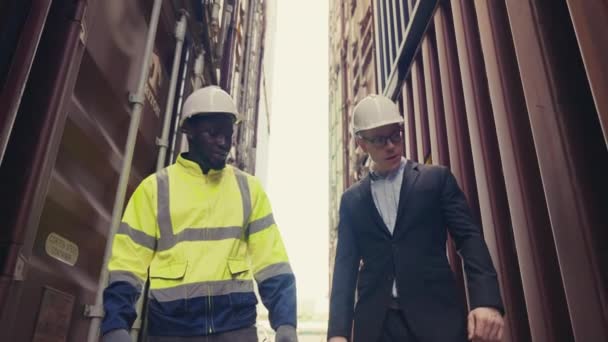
545	299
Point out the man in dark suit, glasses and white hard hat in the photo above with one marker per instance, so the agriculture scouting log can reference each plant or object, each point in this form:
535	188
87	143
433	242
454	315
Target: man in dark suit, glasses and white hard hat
392	248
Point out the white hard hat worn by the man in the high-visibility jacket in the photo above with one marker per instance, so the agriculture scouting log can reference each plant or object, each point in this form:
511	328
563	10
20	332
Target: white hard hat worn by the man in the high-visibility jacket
209	100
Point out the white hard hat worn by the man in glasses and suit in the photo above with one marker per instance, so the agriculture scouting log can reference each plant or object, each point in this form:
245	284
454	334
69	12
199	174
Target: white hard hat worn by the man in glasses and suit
375	111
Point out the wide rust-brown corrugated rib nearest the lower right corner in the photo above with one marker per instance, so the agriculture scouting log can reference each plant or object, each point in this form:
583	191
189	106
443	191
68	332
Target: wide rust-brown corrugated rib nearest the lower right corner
561	117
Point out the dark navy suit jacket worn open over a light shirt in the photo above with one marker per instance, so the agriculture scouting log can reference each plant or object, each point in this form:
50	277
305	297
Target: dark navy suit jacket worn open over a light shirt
369	258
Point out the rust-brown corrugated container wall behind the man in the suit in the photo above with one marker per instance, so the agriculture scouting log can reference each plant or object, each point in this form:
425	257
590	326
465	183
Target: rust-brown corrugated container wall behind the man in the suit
511	95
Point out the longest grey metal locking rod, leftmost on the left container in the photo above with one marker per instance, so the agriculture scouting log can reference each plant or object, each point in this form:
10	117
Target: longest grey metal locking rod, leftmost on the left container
96	311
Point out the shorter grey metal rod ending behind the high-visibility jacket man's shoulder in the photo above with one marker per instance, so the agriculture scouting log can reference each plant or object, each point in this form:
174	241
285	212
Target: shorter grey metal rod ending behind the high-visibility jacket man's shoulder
163	142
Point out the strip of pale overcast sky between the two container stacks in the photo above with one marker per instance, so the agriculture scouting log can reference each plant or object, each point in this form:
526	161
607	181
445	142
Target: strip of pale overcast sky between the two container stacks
298	160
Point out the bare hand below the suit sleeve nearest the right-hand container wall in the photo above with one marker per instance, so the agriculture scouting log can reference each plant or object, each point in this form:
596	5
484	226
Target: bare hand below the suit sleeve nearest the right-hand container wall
485	325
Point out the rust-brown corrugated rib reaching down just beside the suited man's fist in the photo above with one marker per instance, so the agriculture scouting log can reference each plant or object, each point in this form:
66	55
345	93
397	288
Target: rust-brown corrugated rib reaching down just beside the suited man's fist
494	208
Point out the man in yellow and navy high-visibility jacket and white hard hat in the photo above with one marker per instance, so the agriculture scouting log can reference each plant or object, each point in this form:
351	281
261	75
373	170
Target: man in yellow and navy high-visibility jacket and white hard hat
202	231
